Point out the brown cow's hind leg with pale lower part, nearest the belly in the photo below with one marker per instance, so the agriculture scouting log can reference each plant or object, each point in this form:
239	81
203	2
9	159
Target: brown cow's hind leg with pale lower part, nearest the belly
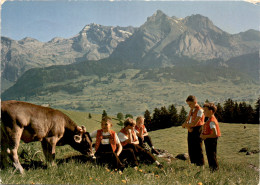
15	135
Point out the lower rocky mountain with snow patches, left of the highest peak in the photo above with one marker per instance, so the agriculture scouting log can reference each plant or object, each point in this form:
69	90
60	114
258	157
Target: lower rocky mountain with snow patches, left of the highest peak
93	42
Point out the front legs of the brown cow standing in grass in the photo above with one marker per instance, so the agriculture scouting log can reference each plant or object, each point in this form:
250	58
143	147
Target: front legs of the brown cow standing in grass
48	146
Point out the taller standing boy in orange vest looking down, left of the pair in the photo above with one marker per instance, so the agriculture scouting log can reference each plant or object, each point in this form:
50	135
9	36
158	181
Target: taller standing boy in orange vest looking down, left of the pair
193	123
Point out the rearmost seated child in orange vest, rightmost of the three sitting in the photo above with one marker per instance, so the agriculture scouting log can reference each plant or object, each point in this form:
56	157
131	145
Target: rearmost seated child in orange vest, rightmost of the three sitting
142	134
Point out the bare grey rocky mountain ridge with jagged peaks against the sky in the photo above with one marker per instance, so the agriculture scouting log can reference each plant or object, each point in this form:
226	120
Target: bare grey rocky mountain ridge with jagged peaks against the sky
160	42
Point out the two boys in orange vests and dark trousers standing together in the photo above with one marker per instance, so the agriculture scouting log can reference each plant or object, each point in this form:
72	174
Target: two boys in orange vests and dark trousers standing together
202	125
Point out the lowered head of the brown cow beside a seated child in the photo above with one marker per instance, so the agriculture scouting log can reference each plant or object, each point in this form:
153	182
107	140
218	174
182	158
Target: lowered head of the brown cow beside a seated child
82	141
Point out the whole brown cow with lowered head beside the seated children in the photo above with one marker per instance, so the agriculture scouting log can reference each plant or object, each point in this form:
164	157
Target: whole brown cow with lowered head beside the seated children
29	122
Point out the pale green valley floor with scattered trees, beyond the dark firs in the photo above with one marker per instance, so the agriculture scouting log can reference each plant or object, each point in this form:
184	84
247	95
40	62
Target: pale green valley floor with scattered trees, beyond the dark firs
135	93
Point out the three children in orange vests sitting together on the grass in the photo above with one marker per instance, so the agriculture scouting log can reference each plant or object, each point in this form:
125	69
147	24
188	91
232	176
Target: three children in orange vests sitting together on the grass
125	148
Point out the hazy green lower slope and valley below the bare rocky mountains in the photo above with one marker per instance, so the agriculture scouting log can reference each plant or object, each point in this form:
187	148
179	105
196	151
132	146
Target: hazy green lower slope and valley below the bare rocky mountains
116	86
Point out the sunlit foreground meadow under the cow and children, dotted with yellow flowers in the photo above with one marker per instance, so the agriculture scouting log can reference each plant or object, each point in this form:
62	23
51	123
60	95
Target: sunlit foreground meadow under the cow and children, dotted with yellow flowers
73	168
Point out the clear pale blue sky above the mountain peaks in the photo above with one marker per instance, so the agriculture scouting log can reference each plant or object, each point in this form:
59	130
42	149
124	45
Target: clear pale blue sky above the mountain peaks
44	20
